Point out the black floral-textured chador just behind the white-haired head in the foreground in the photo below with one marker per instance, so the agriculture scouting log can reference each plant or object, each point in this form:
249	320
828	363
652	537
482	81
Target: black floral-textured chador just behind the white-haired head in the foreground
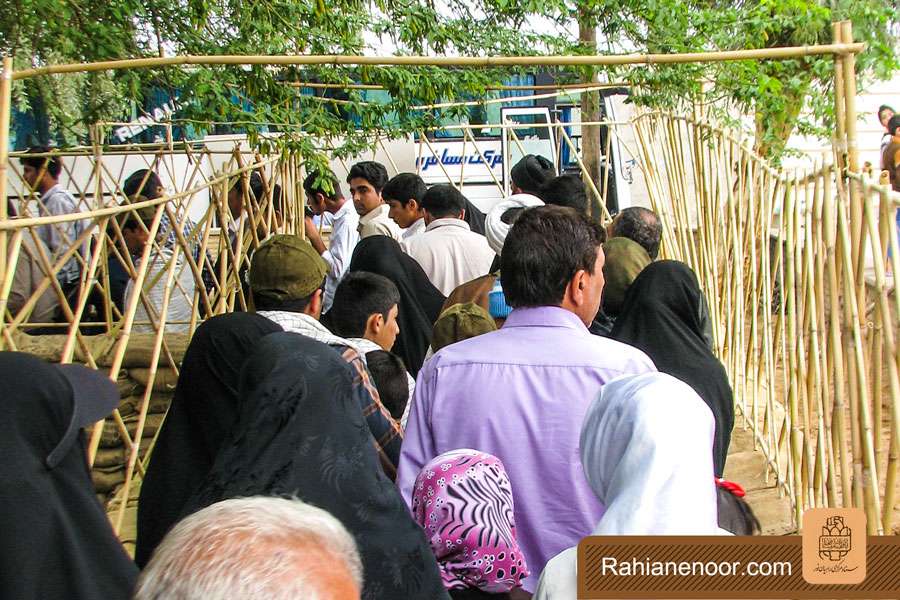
300	433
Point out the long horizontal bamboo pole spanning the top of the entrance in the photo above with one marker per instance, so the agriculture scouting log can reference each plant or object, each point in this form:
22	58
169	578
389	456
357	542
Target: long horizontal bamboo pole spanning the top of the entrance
448	61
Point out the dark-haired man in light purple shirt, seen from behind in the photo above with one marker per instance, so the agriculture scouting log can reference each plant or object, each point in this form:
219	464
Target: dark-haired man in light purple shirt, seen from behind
521	393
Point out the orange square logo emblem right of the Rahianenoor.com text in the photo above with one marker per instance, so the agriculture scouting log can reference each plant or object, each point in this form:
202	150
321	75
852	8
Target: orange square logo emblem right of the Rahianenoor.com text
834	545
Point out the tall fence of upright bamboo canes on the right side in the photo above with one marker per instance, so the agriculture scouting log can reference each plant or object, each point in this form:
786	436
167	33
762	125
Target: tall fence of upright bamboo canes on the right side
806	316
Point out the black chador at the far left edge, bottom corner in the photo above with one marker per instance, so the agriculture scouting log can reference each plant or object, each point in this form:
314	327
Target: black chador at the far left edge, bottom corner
57	541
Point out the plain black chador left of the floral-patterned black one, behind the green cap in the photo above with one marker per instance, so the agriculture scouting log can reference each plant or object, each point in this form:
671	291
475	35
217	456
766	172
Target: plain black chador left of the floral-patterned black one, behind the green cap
203	411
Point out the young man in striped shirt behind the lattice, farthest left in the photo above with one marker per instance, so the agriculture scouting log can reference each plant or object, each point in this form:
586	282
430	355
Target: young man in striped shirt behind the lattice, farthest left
41	173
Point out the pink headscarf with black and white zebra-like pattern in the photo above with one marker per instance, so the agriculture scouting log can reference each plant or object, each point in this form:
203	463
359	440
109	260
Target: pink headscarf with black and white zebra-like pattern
463	500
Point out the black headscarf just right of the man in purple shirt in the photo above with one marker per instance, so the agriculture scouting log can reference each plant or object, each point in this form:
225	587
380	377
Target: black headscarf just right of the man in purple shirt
661	316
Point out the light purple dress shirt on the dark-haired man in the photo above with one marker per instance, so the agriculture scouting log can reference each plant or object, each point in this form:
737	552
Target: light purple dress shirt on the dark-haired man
521	393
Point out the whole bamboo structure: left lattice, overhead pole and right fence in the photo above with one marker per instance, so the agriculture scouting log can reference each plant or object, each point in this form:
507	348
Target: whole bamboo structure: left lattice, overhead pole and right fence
796	266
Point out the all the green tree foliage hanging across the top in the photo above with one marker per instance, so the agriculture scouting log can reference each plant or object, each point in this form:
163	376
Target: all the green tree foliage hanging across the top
783	95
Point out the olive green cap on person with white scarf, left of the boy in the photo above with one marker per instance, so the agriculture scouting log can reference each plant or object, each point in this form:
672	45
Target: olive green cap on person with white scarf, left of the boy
286	267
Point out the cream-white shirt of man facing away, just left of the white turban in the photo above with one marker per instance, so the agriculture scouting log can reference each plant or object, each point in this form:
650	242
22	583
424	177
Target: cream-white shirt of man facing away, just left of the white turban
450	253
